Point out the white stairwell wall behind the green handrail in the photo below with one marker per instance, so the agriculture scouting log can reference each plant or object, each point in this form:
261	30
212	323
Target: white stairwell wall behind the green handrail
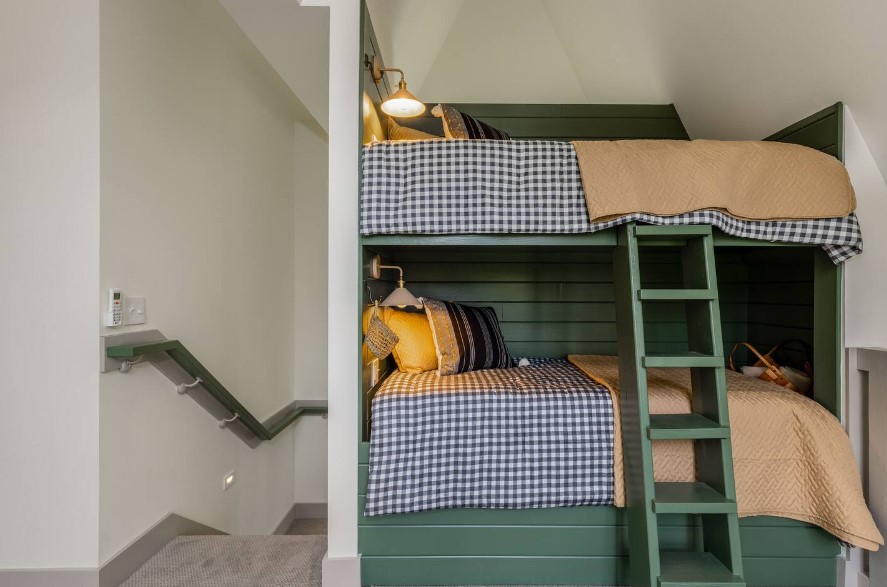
202	213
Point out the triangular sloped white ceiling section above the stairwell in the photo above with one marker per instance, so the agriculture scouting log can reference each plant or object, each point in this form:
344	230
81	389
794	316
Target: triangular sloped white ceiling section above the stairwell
295	41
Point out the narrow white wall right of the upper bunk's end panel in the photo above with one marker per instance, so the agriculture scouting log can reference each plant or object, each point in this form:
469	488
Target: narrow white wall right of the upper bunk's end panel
865	280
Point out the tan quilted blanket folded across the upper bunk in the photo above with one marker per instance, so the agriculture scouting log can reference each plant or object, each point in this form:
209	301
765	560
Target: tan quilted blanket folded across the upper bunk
752	180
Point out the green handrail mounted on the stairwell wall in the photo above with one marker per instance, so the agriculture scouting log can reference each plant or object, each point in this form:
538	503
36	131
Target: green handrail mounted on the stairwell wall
178	353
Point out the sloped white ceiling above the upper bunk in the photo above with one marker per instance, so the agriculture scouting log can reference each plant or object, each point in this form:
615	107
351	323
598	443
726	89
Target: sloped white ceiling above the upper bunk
738	70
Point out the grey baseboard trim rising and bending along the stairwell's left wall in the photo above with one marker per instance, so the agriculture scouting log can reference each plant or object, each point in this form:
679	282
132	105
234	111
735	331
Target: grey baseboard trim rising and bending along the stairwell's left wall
127	561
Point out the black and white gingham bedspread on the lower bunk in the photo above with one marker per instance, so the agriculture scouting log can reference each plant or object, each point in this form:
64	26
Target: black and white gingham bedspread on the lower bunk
526	437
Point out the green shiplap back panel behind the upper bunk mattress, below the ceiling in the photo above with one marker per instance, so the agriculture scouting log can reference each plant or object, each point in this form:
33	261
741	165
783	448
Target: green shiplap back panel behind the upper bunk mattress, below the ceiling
567	122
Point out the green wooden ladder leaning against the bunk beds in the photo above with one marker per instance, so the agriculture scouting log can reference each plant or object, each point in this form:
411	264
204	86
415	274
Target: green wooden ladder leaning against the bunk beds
717	559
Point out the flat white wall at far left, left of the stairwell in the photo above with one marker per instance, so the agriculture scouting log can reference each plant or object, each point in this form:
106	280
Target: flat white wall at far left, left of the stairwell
49	242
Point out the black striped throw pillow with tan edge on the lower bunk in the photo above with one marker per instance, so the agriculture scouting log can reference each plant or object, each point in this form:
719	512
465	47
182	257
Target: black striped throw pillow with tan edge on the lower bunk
466	338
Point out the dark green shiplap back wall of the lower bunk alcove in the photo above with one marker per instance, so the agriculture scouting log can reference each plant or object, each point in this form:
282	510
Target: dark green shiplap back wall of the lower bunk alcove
556	302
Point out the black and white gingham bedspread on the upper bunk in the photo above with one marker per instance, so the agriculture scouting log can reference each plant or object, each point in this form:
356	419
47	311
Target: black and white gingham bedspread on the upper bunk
495	187
